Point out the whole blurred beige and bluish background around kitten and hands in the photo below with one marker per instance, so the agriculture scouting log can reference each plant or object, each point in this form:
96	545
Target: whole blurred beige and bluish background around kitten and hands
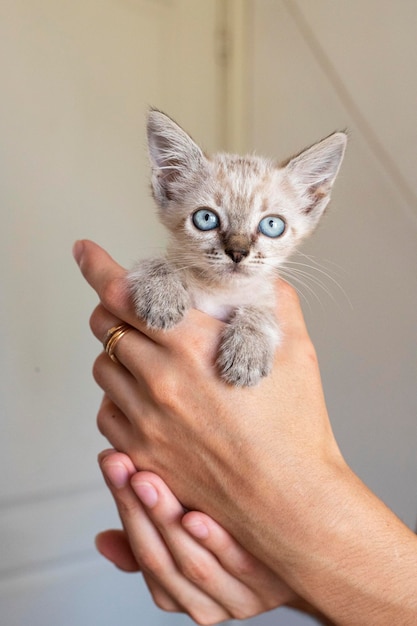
77	77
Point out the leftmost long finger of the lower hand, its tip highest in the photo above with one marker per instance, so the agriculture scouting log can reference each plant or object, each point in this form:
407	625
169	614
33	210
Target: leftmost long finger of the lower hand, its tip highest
149	547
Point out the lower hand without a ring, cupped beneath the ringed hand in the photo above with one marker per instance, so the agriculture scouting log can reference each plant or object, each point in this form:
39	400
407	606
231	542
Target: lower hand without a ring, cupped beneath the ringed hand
189	562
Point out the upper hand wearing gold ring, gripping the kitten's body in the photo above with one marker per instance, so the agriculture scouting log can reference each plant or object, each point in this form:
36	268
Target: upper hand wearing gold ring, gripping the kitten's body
220	449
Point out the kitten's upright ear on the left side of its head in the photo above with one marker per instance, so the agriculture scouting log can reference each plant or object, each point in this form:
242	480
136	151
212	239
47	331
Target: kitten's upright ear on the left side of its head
175	157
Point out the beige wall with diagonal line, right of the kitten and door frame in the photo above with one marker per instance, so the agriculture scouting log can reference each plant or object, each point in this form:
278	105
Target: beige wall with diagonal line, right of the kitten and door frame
323	65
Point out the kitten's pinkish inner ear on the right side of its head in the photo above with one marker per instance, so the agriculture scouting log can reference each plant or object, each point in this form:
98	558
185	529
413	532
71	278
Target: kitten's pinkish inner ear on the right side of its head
313	172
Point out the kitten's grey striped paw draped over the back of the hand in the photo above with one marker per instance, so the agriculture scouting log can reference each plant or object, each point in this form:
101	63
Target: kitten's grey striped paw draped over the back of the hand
246	350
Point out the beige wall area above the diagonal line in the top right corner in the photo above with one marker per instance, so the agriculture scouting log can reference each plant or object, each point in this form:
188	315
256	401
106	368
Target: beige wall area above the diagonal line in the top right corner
372	57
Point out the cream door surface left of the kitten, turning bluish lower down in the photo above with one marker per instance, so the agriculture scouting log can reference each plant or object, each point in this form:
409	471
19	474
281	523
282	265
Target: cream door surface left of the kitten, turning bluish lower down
76	79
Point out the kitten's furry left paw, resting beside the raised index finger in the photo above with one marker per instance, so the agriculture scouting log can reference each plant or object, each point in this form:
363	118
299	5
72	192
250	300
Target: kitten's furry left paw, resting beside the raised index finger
158	294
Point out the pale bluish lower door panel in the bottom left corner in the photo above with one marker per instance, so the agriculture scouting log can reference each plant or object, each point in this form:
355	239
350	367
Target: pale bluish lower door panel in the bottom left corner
88	593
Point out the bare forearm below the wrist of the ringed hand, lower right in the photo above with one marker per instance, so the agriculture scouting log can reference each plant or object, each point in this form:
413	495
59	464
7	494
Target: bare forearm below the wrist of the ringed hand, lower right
342	549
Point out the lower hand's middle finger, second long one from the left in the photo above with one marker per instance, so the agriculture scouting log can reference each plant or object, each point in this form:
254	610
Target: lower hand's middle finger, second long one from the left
196	563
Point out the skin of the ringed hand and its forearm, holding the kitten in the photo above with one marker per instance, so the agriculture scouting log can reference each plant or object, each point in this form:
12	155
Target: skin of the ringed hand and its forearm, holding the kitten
262	461
